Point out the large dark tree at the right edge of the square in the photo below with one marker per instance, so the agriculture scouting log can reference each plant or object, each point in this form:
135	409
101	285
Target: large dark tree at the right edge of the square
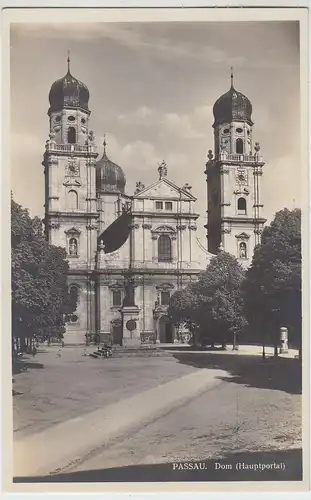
272	289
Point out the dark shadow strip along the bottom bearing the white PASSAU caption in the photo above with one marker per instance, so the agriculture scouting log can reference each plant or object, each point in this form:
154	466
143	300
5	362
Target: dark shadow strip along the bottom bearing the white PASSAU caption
292	460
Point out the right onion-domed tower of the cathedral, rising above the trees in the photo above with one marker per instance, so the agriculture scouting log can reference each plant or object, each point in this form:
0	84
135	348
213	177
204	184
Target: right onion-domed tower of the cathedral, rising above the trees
234	174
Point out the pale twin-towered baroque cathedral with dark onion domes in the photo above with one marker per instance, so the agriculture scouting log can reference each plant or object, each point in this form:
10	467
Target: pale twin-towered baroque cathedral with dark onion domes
127	254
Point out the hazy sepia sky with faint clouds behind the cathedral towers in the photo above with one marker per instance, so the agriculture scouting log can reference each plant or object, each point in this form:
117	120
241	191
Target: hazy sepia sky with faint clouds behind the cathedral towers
152	89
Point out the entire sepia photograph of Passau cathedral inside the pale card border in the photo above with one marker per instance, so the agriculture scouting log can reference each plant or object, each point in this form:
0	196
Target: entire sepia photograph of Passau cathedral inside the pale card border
157	202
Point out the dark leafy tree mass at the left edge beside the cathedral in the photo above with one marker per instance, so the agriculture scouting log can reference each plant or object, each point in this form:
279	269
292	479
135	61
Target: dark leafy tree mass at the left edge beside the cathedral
39	279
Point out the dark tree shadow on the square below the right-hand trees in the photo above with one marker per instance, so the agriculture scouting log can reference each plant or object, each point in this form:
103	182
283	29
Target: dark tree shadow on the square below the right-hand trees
282	374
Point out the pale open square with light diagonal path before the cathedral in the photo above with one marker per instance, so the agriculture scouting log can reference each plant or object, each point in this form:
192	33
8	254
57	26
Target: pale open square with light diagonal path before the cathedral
133	411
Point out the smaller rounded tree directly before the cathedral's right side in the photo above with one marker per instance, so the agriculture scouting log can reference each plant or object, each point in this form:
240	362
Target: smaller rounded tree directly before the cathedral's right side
214	303
